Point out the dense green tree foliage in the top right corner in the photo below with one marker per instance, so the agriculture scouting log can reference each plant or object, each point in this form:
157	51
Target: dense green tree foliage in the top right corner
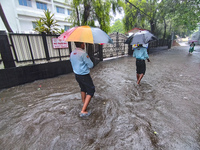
181	16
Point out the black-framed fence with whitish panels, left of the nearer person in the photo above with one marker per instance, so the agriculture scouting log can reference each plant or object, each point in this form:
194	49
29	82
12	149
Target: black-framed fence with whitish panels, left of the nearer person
35	48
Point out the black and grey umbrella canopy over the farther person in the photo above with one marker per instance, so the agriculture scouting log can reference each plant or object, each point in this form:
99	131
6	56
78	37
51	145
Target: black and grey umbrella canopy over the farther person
141	37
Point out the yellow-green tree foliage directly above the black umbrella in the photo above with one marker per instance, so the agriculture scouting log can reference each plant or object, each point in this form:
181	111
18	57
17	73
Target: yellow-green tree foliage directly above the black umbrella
141	14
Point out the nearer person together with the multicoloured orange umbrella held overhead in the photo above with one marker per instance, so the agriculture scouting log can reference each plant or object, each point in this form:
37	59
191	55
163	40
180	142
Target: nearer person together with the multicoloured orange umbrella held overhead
81	62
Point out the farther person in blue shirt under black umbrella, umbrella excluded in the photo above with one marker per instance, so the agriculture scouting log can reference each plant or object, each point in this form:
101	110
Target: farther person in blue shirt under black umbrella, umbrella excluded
140	53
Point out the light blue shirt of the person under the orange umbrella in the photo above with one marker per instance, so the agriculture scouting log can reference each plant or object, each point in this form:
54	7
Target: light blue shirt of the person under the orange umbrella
81	62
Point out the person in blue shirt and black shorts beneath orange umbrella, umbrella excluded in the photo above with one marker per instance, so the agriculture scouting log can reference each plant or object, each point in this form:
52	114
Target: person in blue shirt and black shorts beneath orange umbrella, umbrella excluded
81	64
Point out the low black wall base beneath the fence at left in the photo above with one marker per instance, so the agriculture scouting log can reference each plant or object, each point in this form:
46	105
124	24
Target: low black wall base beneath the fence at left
20	75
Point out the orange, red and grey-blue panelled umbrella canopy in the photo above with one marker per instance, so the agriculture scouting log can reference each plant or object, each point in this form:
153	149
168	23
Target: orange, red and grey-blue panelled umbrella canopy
86	34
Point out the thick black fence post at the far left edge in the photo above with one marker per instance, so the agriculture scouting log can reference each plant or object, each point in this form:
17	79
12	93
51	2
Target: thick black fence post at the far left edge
6	53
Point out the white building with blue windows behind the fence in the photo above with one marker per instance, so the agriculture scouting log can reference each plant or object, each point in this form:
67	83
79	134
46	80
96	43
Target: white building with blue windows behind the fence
22	14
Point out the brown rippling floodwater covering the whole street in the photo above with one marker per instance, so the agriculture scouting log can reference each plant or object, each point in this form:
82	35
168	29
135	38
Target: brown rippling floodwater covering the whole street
163	113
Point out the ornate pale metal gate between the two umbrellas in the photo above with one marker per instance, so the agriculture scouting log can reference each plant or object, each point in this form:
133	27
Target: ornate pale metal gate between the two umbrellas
119	47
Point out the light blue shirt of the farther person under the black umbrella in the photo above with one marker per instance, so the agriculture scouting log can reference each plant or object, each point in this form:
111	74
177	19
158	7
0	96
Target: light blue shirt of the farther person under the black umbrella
140	53
